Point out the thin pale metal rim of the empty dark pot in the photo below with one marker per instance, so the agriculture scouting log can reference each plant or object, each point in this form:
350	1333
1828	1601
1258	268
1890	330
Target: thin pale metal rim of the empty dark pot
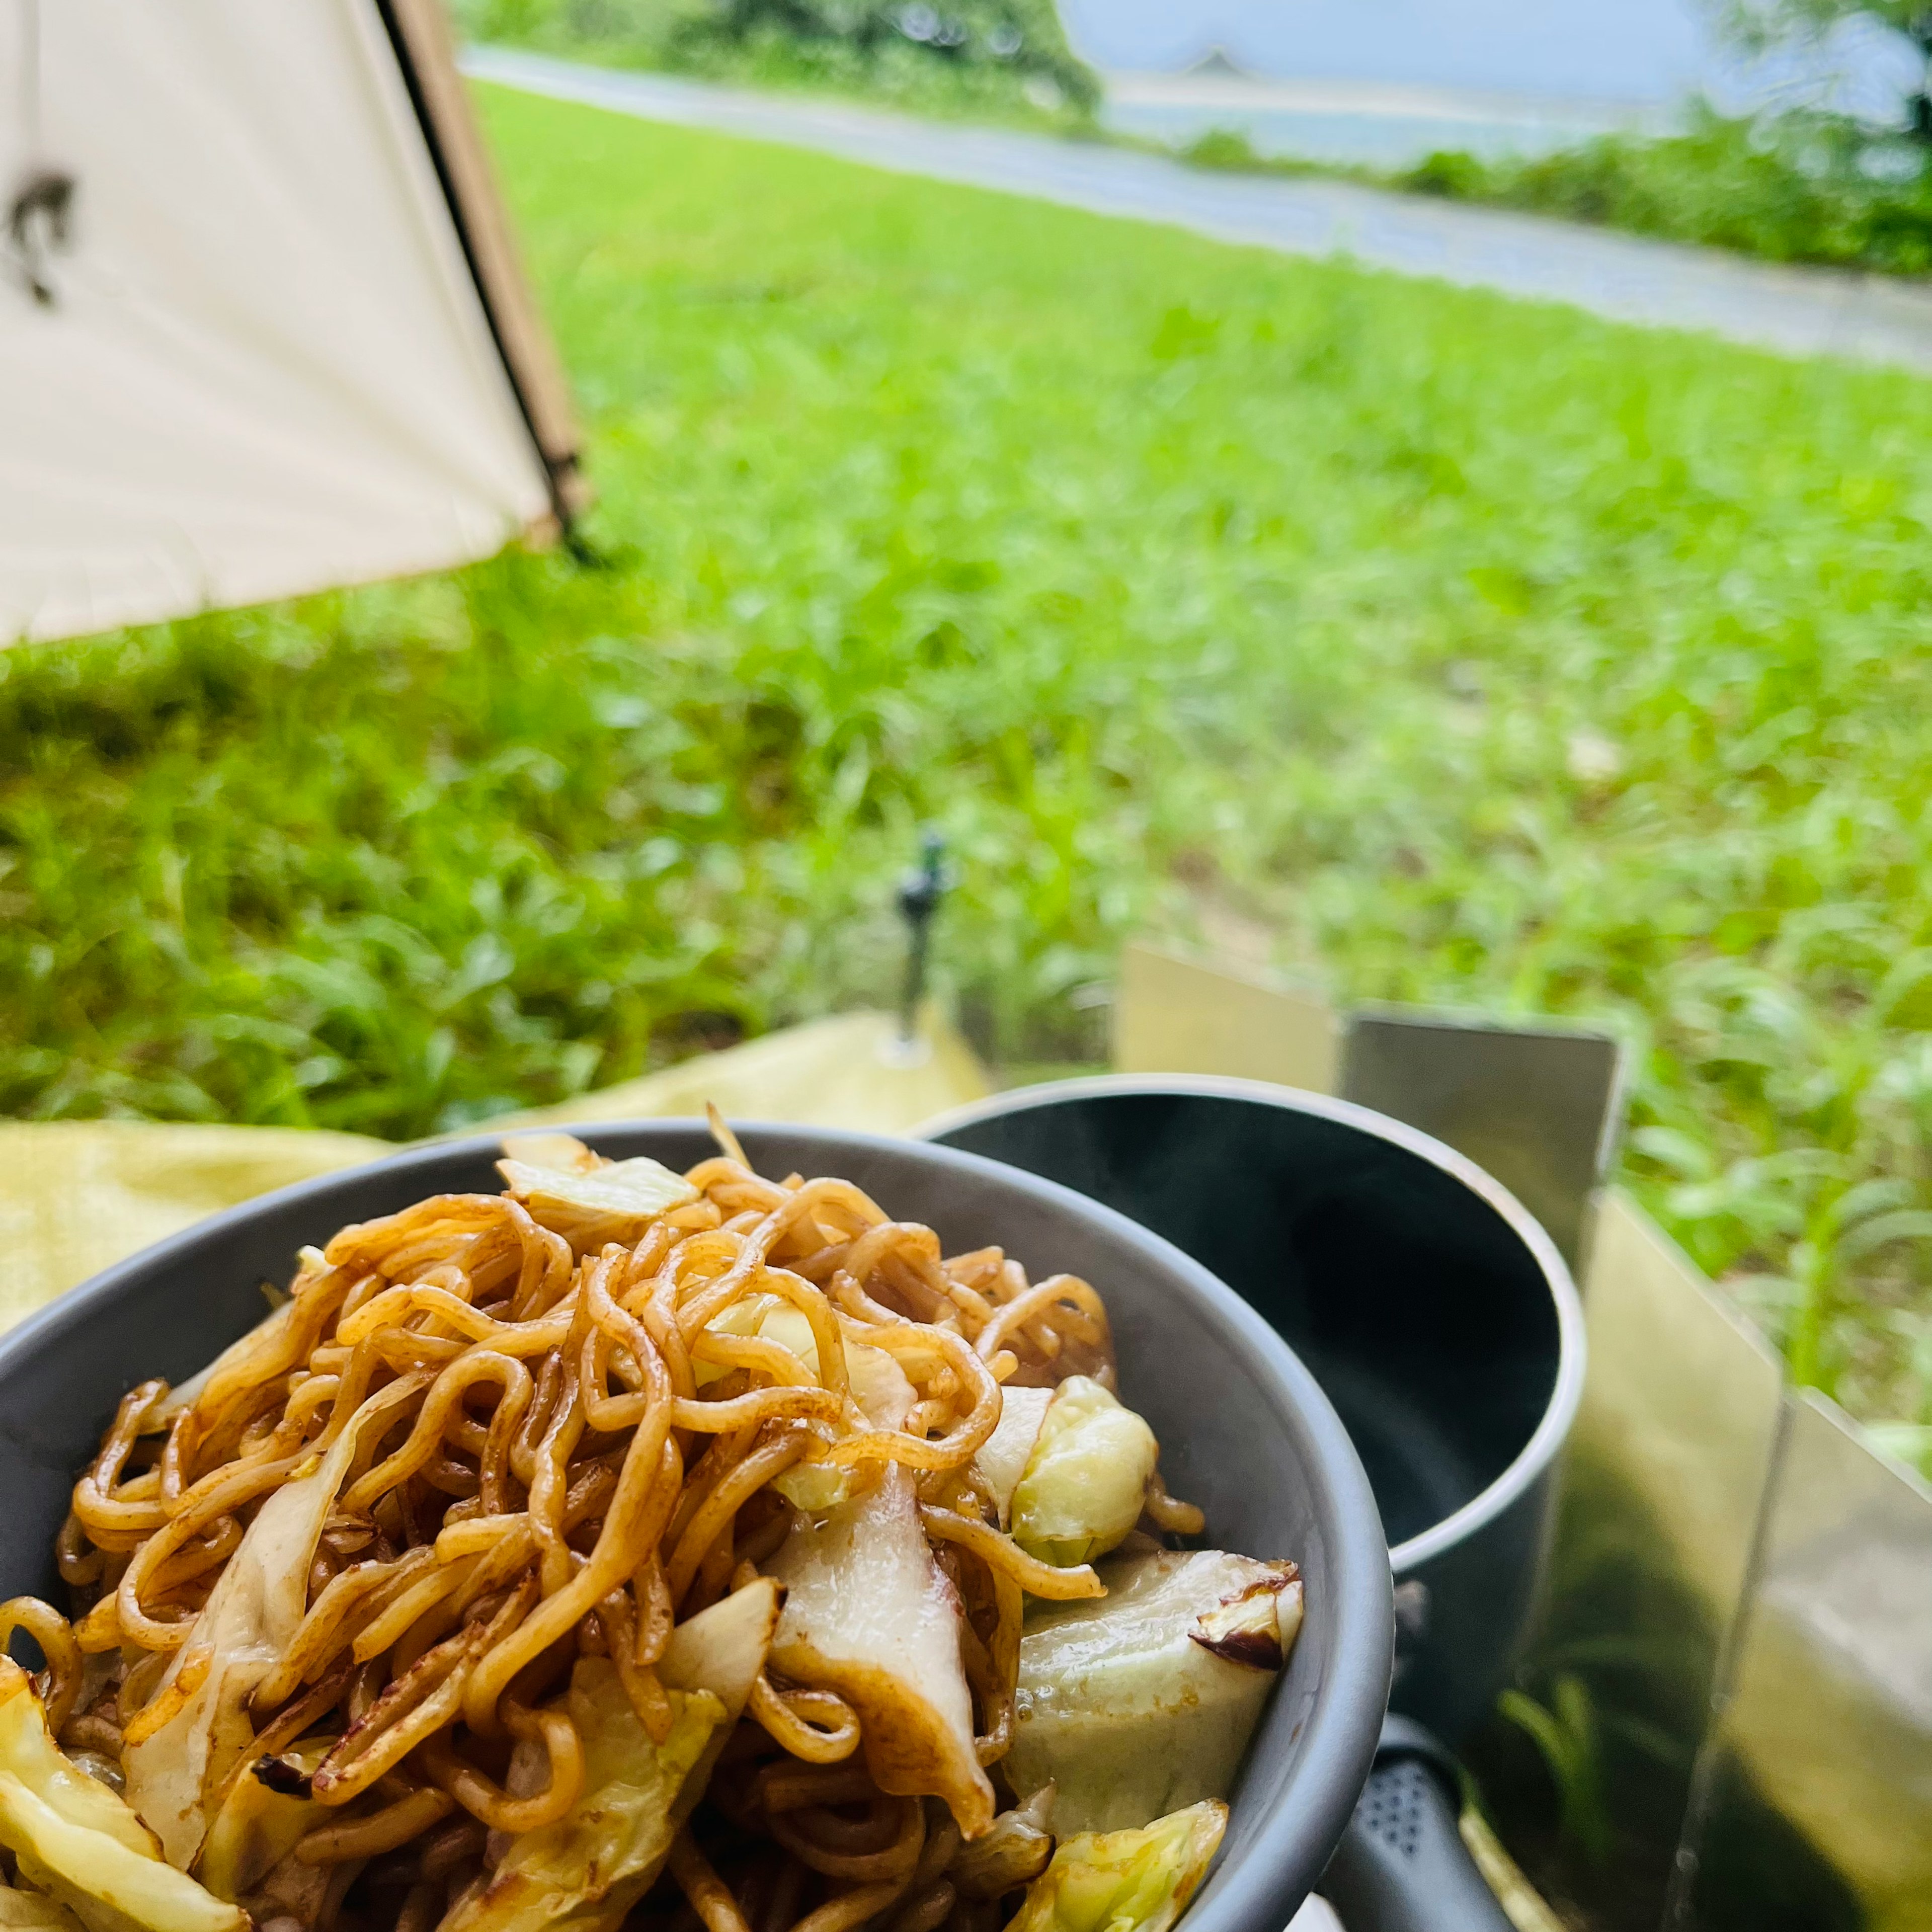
1574	1350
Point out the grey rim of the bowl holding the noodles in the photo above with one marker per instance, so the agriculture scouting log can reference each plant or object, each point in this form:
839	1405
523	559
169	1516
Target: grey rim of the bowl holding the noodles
1332	1749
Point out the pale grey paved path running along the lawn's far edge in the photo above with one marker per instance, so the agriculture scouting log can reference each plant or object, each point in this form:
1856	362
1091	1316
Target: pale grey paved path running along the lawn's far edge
1800	312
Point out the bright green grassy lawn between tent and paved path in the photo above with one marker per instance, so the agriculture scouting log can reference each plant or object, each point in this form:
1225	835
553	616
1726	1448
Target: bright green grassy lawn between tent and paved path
1487	652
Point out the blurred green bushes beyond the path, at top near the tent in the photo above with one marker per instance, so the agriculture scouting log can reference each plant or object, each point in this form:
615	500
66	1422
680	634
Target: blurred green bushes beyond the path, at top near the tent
971	57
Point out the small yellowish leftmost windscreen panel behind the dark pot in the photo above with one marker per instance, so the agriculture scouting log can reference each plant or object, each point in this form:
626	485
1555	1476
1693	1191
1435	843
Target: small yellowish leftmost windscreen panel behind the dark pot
1178	1015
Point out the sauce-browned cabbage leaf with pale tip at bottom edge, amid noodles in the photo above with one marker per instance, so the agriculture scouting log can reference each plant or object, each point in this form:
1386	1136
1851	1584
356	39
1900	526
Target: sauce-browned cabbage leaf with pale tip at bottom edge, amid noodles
590	1867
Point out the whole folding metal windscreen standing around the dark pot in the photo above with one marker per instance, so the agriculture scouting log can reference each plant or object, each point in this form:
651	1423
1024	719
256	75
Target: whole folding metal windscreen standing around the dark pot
1736	1647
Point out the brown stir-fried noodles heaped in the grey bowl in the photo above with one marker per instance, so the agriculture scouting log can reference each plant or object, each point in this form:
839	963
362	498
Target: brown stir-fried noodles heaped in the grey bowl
559	1429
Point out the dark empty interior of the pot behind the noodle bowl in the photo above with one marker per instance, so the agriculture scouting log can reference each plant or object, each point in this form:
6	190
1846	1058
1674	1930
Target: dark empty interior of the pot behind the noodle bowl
1415	1303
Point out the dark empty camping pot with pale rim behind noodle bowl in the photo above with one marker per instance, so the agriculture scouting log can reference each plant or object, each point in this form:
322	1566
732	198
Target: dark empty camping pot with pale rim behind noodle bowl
1442	1324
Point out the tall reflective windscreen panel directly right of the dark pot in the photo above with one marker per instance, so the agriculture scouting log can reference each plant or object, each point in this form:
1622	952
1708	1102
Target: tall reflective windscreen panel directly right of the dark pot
1649	1570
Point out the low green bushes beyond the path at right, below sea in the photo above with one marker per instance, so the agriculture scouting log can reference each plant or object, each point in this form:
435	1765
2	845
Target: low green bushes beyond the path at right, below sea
1813	188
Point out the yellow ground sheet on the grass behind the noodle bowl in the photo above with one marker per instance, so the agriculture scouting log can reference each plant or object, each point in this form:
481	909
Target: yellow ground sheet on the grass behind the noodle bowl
80	1195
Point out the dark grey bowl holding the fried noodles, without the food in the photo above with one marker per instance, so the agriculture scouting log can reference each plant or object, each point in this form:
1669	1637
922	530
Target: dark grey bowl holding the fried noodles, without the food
1243	1427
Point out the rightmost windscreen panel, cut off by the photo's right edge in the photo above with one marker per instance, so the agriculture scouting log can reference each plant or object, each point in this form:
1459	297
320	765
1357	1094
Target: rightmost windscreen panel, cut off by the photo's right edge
1815	1796
